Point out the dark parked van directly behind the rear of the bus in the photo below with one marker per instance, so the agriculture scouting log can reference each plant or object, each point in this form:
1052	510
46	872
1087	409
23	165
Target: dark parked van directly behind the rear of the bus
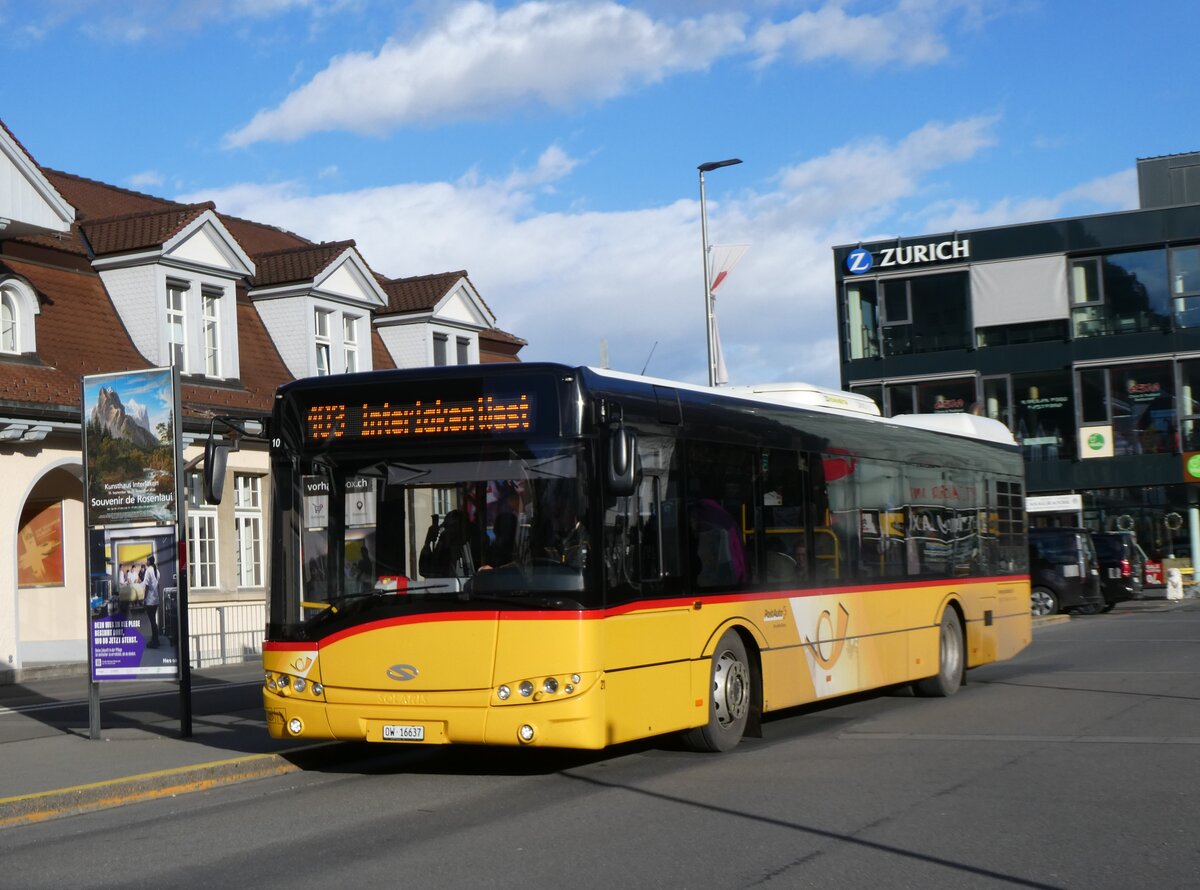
1064	572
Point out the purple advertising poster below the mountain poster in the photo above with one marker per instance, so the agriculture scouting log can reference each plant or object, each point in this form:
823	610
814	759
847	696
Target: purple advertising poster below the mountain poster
134	608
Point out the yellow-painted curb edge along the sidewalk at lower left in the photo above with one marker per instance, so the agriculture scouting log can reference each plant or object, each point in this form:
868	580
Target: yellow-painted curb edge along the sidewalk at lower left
43	807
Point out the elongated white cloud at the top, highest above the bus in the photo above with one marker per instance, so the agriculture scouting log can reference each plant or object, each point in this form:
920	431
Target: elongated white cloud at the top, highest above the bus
479	62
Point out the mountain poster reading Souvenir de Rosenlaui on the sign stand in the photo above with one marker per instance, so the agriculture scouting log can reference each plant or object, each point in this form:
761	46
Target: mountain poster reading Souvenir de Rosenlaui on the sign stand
129	442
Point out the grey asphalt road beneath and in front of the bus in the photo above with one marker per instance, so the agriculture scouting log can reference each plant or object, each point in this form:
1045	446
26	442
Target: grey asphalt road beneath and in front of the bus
1073	766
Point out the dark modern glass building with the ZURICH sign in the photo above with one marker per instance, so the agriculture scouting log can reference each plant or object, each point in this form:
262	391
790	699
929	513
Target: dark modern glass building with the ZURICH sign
1083	335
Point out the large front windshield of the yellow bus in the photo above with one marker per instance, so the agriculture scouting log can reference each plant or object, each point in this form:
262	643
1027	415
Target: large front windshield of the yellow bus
502	526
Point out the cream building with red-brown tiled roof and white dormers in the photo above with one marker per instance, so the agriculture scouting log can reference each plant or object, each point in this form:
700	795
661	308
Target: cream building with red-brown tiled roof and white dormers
99	280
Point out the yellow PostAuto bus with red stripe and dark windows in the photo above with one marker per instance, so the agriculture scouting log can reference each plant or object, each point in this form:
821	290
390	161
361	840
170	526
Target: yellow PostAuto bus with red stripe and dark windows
547	556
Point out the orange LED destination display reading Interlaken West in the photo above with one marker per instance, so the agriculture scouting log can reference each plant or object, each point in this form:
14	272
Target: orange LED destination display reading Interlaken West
427	417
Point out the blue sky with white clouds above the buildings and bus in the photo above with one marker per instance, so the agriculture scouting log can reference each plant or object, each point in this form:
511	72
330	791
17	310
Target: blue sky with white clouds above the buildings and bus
551	148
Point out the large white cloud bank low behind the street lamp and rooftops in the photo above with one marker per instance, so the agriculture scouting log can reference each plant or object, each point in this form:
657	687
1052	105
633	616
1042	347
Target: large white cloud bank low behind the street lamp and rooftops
566	281
